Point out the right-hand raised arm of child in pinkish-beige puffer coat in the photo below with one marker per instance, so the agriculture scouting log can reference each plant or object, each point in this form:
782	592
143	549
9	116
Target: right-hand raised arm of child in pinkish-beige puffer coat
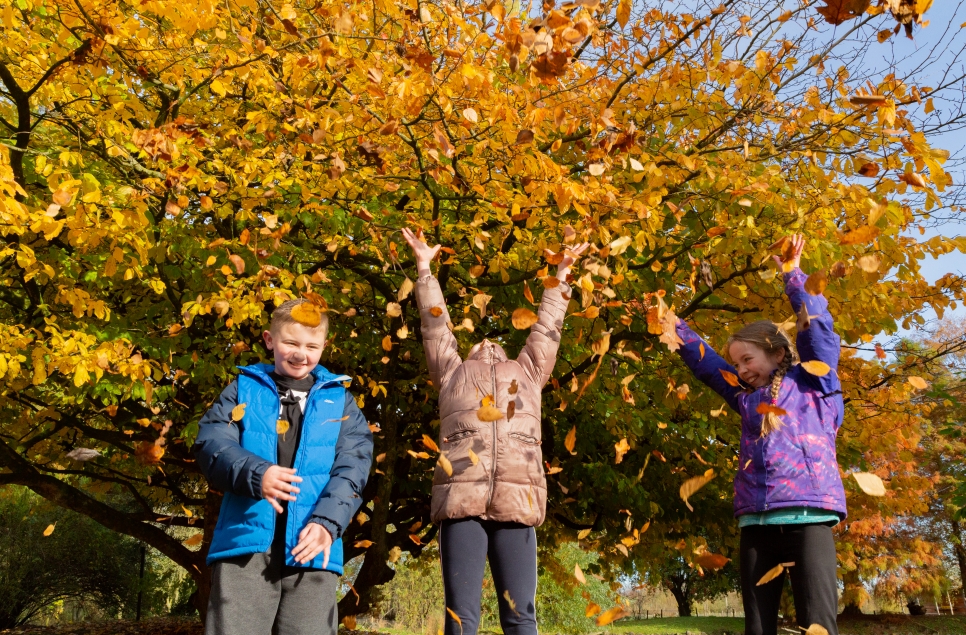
539	355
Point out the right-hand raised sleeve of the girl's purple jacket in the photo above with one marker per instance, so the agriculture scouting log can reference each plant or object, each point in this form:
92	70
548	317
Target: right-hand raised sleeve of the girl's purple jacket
819	342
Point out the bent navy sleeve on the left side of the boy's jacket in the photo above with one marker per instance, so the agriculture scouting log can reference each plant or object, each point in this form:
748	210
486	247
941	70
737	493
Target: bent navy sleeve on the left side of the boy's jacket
225	463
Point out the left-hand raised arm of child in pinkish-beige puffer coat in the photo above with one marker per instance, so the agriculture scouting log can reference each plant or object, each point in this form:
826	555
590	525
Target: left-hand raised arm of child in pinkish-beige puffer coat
442	351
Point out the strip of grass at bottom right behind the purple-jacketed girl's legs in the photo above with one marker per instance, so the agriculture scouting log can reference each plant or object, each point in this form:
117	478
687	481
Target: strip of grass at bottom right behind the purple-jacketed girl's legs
870	625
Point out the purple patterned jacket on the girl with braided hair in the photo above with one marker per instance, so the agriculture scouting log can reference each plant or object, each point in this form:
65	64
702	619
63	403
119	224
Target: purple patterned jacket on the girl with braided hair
795	466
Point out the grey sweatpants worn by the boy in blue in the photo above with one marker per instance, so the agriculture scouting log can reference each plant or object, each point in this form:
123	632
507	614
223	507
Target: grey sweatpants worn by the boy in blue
258	595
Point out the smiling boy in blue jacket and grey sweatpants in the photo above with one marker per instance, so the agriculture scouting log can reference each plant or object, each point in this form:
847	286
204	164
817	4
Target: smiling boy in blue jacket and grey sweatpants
292	463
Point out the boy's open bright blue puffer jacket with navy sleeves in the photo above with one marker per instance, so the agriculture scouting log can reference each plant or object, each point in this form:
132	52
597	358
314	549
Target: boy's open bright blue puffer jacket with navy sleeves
333	458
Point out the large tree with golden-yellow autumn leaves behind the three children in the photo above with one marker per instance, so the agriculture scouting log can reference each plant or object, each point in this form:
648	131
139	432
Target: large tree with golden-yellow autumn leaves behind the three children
174	170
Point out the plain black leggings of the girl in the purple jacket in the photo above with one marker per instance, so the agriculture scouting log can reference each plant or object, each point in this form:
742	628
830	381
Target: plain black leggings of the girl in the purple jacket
814	585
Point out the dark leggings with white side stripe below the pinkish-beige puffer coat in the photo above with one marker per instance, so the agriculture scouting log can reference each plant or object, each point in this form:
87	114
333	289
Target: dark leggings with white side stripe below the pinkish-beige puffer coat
464	546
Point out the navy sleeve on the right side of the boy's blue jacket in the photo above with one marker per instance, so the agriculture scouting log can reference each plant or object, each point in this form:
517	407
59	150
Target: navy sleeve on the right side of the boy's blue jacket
342	495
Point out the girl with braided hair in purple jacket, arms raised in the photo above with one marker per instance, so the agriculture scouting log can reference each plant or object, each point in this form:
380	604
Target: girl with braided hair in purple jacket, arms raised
788	491
